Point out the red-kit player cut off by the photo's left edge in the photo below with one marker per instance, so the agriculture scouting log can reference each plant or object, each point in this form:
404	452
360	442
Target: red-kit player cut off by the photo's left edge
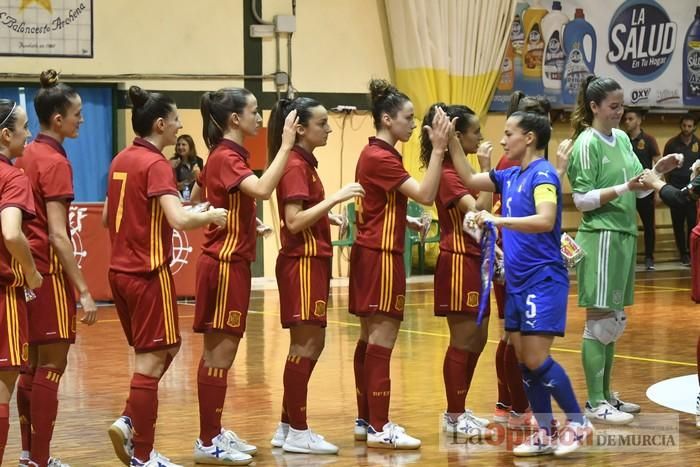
17	268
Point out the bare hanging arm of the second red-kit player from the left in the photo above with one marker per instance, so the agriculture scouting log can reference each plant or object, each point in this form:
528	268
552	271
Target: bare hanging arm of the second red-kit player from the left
57	215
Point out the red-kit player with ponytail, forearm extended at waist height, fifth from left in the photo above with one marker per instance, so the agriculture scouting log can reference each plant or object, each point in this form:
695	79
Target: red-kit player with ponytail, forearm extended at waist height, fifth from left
303	265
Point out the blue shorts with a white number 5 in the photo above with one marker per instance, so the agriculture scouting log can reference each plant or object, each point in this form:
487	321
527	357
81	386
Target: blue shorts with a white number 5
538	309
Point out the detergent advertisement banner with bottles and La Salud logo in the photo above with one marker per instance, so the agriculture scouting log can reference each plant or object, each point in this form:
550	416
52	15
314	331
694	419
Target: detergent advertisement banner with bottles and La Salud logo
652	48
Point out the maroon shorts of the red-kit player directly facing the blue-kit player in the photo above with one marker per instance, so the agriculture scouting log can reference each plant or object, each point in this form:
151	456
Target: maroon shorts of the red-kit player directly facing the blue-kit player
457	284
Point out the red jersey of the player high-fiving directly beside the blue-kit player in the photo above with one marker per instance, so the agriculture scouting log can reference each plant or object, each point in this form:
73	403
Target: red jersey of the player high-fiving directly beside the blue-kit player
452	236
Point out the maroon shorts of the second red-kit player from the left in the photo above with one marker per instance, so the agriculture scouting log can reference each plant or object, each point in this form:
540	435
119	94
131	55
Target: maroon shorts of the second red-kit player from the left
52	314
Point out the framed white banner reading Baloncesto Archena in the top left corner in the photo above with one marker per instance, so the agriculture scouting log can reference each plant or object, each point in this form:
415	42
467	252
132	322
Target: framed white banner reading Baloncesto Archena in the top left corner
48	28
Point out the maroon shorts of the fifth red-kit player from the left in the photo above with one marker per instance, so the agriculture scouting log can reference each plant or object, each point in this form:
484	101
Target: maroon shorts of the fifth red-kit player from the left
303	284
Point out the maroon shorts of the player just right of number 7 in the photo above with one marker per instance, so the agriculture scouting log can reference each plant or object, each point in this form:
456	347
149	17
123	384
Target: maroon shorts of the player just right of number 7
222	296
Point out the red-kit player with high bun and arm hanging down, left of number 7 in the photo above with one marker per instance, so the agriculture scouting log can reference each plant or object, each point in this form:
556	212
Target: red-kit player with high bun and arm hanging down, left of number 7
52	325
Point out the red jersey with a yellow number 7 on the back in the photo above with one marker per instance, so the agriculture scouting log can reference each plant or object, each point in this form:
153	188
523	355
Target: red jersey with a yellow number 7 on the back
141	236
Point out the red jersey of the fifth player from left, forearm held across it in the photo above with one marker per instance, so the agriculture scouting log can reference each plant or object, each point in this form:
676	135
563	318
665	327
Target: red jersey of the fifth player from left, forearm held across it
300	182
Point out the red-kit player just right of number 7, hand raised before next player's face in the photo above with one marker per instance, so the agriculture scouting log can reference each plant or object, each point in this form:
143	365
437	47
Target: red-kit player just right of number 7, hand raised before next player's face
223	270
